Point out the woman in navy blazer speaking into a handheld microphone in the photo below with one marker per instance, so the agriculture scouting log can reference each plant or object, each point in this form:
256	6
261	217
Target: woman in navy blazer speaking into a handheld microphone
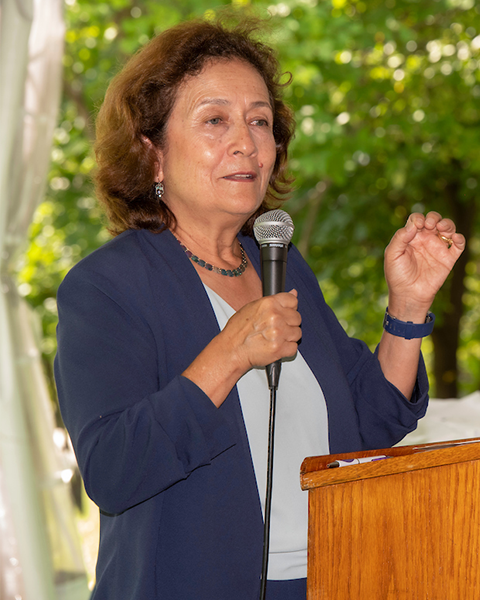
160	359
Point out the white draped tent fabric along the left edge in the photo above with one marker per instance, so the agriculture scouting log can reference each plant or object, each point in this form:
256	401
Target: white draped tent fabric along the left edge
40	558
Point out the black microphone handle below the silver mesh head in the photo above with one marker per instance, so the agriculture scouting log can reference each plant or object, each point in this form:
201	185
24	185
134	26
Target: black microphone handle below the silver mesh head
274	268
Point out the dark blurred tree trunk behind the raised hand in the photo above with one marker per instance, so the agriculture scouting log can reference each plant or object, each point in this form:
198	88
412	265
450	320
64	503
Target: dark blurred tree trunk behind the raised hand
446	333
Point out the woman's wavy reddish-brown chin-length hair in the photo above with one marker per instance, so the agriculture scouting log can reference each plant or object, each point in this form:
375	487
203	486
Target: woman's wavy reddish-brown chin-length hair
138	104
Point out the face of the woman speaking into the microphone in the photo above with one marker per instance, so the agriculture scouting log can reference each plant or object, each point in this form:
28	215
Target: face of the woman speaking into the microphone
220	149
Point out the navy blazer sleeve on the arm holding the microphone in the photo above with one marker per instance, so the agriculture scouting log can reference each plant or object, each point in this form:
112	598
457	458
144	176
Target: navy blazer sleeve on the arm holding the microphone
135	431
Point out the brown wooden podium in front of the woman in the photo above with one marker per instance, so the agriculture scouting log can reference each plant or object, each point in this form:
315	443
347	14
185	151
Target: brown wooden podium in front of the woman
403	528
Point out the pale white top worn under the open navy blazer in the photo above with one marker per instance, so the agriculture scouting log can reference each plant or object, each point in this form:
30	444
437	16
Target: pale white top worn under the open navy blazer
301	430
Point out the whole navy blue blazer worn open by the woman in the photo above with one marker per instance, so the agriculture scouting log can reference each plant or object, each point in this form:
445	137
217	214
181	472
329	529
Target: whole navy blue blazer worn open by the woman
171	473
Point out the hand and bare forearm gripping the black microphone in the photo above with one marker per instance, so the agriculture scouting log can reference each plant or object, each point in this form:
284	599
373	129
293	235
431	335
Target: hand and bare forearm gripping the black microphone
260	333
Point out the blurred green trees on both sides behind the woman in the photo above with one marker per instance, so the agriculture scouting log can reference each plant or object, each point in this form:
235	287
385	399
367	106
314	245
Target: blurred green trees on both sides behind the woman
386	96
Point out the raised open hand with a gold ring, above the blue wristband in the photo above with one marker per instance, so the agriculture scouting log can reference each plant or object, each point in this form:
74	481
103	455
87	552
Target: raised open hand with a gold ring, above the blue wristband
417	261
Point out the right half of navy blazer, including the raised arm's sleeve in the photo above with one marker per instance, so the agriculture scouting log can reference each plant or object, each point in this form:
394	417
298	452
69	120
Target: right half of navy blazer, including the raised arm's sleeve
383	415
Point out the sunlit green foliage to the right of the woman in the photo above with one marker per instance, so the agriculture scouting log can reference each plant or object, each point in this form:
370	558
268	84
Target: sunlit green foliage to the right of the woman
387	104
